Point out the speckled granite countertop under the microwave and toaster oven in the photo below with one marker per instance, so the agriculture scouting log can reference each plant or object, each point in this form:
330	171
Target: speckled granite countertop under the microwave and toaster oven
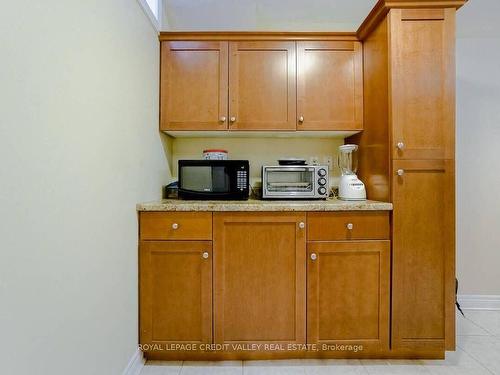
332	204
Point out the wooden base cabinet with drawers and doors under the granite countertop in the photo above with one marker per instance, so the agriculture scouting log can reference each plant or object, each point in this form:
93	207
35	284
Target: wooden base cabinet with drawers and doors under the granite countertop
275	278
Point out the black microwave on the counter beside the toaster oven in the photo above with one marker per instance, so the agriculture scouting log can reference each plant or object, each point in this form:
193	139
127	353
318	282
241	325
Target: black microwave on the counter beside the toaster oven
214	179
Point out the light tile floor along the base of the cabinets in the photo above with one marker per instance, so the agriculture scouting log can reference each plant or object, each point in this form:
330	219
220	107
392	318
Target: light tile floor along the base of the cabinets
478	353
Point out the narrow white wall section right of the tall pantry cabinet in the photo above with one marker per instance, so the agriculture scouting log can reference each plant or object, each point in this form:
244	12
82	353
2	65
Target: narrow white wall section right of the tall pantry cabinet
478	148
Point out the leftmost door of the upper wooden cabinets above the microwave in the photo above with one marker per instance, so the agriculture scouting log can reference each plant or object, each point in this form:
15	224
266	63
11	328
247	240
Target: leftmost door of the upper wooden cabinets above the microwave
194	92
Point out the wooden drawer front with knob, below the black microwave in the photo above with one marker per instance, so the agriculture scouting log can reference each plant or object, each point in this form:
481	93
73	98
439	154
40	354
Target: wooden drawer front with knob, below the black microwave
161	226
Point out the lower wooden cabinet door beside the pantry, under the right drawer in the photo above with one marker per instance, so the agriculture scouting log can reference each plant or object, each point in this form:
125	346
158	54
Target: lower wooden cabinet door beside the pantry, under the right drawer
348	293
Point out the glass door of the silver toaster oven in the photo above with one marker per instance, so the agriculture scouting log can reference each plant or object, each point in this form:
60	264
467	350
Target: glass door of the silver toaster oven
295	182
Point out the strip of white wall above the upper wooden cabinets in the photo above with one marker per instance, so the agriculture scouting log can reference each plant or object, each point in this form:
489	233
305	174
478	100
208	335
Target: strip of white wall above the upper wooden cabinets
269	15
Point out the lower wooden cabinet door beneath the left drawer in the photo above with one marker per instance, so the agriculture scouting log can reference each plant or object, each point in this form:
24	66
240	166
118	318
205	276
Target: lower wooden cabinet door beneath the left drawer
175	292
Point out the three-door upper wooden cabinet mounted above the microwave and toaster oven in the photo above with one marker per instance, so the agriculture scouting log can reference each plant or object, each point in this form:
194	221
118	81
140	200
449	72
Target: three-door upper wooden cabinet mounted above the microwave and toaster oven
262	85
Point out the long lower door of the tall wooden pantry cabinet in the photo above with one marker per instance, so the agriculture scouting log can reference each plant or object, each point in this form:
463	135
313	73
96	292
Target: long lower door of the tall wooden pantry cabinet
423	253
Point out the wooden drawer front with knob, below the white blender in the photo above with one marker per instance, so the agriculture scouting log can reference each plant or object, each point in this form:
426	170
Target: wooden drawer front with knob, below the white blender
332	226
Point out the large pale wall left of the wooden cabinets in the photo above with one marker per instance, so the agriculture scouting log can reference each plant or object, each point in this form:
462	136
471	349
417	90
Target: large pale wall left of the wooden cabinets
78	149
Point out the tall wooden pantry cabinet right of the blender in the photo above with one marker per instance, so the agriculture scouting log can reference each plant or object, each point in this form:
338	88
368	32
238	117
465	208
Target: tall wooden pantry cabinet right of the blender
407	157
